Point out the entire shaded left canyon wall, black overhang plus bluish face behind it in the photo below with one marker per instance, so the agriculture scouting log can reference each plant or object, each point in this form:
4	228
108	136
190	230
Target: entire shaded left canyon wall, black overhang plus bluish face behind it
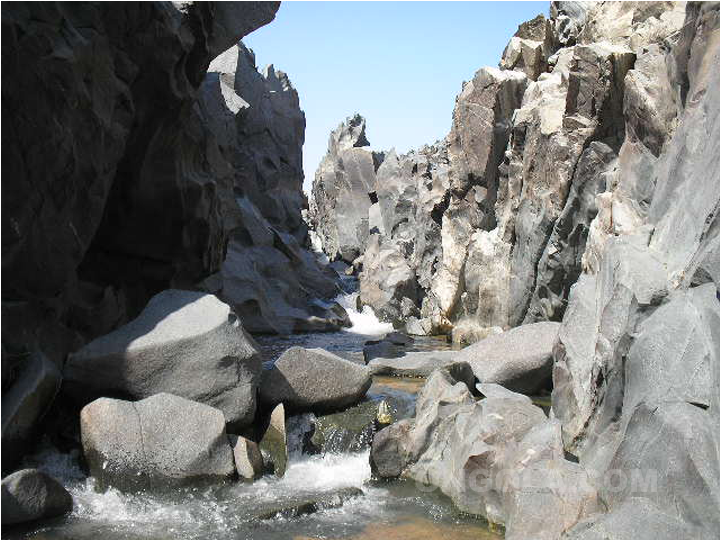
142	151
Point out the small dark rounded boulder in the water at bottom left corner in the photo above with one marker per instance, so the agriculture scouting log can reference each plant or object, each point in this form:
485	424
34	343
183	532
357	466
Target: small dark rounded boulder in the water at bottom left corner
30	495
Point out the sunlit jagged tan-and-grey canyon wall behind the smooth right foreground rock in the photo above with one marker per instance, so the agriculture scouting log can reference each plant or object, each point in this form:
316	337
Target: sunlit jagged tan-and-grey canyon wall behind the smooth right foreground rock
487	228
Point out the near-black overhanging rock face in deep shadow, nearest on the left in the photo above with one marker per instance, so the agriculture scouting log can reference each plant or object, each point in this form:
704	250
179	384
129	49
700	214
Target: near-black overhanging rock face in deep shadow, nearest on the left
127	140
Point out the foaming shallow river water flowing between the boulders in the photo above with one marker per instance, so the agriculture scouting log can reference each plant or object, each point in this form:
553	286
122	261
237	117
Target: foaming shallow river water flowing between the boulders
354	506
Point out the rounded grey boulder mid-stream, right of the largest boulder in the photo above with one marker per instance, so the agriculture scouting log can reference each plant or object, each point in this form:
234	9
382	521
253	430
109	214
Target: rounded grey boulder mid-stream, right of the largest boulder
313	380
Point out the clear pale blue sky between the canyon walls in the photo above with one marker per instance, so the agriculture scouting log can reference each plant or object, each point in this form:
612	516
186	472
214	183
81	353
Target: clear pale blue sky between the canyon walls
399	64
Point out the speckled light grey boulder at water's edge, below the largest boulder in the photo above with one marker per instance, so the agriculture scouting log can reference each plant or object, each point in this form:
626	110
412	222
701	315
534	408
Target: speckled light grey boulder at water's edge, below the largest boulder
160	442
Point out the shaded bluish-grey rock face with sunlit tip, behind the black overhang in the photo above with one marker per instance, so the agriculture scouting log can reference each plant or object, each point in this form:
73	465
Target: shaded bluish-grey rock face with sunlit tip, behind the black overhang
268	277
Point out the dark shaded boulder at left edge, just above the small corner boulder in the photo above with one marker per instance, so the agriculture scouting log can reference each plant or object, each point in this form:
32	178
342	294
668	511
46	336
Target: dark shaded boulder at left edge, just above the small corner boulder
25	403
